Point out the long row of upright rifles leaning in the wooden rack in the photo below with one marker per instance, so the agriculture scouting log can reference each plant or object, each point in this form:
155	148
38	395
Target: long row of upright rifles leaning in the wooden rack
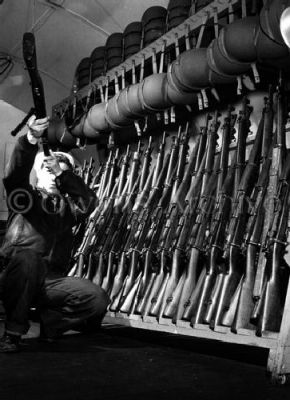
196	237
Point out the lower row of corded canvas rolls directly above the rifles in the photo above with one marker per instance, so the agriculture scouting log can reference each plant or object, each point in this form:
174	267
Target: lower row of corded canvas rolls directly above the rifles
237	48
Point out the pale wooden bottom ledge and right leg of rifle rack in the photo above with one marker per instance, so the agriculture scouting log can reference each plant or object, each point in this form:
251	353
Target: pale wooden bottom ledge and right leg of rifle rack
278	364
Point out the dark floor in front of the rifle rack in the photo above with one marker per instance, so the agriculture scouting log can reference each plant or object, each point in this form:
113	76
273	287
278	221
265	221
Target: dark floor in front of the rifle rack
121	363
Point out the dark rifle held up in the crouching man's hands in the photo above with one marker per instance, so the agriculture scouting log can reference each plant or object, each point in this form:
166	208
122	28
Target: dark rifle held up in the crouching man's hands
29	55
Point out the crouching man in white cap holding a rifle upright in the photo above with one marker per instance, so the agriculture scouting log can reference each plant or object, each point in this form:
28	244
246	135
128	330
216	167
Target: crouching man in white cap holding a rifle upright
37	245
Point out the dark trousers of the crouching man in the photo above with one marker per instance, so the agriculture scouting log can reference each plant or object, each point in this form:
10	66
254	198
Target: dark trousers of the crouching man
63	302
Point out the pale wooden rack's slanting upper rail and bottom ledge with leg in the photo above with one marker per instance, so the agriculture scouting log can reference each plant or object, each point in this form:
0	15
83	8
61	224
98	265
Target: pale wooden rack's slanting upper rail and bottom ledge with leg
278	344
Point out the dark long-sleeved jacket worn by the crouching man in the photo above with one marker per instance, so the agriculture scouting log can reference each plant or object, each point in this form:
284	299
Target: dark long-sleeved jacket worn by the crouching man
39	221
